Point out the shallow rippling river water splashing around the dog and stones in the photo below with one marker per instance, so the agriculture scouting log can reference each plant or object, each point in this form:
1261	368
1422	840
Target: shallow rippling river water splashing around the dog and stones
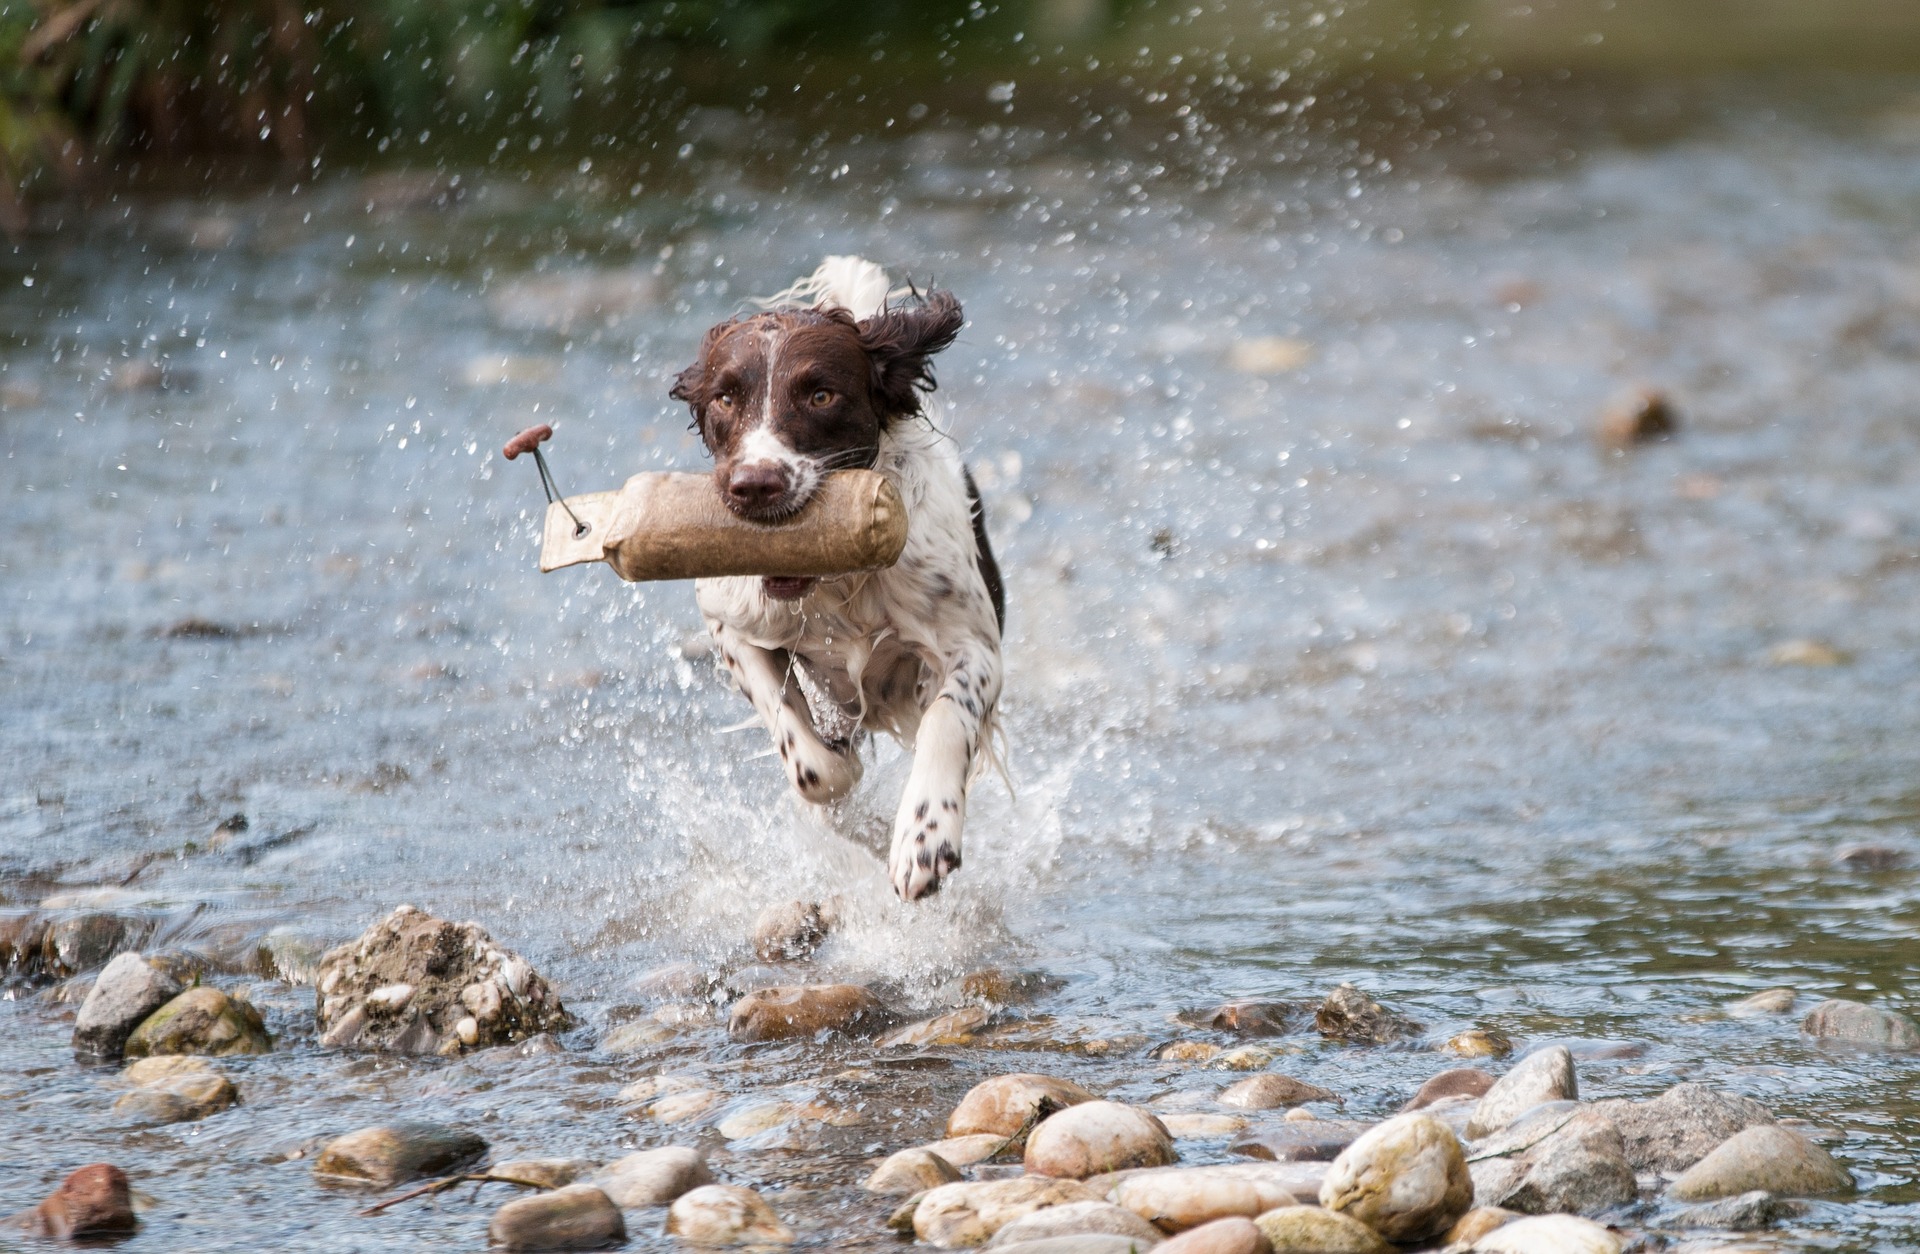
1366	669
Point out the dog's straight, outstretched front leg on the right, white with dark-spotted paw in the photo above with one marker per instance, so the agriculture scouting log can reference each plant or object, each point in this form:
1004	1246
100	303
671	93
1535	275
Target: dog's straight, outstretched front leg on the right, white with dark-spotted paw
926	832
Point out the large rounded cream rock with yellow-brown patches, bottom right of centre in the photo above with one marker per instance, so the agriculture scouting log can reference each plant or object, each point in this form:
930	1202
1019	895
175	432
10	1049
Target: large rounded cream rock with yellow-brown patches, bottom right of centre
1404	1180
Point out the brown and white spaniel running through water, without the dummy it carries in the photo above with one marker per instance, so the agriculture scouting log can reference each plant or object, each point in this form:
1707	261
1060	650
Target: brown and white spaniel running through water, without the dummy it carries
836	374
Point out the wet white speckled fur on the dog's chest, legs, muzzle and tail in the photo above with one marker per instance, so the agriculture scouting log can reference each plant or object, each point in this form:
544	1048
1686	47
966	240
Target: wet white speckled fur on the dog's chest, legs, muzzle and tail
913	650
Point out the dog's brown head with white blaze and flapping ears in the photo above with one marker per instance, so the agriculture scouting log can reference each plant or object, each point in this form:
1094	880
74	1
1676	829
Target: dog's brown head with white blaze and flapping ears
782	398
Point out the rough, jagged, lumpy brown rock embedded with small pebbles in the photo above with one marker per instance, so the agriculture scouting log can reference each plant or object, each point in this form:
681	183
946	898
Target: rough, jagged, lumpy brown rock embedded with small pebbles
416	984
